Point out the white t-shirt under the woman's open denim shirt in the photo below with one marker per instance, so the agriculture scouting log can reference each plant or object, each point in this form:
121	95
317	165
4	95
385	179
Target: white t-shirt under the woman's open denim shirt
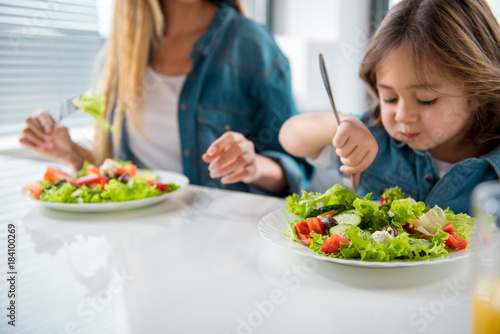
159	146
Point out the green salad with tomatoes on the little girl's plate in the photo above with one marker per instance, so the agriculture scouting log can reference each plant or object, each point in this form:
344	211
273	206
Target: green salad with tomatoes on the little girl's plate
339	224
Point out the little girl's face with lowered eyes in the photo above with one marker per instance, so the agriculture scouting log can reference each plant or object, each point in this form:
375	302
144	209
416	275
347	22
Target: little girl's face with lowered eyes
434	116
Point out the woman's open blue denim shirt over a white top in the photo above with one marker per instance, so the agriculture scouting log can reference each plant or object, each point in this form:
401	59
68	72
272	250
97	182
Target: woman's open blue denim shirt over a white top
240	82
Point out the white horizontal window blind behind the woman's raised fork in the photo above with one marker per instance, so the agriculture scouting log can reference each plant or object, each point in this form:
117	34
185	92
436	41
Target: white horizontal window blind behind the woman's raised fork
47	55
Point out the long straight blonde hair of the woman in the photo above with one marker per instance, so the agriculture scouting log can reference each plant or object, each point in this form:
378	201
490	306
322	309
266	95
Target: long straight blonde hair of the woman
138	25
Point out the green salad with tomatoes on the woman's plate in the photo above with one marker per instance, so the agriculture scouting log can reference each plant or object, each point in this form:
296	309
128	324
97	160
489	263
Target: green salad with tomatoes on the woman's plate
113	181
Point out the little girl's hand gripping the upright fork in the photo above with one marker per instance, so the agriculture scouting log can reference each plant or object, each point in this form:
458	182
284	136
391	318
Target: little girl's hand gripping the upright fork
355	145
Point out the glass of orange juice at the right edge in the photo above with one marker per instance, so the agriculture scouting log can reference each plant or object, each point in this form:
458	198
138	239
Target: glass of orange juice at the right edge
486	289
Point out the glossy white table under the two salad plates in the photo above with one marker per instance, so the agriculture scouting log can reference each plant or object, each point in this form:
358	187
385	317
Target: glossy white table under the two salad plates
197	264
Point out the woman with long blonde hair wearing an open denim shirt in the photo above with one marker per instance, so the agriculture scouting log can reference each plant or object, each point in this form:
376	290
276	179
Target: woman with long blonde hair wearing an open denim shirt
192	86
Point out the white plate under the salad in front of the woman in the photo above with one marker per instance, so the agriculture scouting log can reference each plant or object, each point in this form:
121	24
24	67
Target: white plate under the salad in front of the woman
164	177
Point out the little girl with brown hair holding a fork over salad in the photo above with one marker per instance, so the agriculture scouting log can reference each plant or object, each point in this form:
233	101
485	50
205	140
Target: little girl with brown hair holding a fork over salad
435	67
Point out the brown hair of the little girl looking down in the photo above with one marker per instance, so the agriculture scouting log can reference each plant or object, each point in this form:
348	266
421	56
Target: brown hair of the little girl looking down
459	37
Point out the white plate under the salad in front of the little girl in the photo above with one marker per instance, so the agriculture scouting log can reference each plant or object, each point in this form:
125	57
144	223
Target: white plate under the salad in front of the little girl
274	225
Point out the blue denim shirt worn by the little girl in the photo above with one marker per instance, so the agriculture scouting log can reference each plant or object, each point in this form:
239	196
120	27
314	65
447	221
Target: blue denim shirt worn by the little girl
396	164
